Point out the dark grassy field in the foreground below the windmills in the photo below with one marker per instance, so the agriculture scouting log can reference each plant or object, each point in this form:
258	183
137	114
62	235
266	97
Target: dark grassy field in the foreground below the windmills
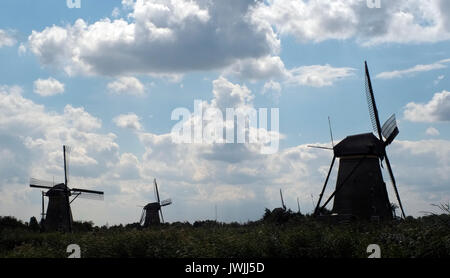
280	235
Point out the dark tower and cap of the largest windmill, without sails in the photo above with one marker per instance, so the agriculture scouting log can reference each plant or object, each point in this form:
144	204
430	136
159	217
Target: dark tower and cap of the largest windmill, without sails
360	189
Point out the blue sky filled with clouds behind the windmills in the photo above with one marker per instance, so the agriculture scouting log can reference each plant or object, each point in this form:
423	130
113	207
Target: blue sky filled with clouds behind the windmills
106	77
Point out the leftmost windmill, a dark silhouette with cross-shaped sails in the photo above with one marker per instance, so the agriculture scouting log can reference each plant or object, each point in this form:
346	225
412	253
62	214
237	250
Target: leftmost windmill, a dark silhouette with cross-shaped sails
59	214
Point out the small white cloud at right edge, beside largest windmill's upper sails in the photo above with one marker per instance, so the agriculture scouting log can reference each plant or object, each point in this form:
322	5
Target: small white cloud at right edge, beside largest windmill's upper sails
436	110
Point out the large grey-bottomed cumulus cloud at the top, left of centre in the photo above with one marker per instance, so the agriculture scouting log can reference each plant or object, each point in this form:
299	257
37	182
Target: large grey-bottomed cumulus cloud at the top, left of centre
158	37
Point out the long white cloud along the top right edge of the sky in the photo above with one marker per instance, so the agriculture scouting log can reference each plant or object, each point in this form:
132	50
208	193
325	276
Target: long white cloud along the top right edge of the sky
402	21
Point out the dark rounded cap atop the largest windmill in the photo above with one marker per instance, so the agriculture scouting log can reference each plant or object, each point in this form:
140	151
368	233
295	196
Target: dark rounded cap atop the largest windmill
360	144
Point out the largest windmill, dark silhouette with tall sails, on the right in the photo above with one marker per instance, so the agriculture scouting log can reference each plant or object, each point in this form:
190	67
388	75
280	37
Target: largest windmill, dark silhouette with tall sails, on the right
360	190
